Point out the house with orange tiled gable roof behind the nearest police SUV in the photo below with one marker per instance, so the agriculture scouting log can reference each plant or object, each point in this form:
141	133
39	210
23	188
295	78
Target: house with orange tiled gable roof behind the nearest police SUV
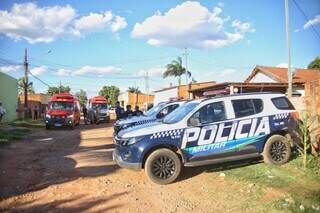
270	79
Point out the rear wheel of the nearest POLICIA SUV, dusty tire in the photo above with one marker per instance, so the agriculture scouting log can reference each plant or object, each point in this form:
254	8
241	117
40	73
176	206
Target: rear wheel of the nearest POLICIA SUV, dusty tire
277	150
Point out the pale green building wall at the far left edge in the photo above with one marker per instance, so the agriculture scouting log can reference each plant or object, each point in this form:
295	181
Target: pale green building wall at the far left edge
8	96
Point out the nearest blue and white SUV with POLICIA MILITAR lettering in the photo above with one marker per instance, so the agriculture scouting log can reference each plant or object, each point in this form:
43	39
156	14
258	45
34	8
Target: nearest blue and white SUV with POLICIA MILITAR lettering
207	131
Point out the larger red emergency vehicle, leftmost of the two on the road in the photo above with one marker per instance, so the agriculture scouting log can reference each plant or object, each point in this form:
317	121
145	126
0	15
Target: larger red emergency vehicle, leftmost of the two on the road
63	110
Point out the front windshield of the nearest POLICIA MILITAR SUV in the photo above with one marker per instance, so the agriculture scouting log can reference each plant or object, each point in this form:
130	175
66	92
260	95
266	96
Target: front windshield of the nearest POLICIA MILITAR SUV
180	113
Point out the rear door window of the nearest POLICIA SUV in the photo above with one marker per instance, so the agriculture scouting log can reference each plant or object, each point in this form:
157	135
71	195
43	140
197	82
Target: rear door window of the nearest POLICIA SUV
247	107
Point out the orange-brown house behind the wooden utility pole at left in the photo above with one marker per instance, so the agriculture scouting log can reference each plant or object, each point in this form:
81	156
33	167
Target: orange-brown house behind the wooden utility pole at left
37	101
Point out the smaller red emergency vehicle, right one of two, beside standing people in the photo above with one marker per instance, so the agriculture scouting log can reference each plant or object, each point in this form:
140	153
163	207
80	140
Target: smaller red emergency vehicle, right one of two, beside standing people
97	110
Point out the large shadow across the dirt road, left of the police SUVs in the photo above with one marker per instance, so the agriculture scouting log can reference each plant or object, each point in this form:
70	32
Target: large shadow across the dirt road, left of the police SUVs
28	166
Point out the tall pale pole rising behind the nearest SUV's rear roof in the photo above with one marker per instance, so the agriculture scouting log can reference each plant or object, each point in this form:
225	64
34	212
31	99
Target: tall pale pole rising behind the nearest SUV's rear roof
288	48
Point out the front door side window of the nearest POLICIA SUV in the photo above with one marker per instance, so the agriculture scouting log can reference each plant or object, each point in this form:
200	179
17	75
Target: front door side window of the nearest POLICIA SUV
210	113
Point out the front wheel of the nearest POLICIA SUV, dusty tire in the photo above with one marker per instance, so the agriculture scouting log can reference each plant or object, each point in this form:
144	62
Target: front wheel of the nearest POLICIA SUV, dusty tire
163	166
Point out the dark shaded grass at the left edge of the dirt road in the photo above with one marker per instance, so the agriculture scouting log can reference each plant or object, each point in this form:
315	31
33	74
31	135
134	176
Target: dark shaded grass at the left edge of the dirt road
11	134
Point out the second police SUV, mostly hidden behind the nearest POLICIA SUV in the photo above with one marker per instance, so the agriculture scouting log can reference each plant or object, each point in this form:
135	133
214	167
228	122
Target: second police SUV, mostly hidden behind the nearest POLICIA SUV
155	113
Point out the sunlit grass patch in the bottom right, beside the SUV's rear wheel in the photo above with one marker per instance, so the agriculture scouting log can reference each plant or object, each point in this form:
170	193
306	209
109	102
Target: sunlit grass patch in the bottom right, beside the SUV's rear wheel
299	188
